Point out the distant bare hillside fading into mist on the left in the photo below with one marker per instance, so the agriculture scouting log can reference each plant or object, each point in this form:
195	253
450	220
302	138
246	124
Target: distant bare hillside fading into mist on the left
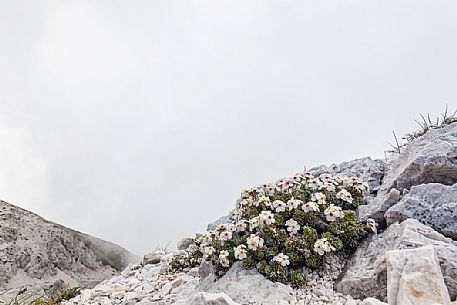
41	255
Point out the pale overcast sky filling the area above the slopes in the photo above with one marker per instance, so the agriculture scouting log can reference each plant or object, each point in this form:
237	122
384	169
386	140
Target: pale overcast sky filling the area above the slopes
140	121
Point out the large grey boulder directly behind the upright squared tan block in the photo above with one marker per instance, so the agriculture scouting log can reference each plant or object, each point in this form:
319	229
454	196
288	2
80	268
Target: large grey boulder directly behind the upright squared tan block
366	271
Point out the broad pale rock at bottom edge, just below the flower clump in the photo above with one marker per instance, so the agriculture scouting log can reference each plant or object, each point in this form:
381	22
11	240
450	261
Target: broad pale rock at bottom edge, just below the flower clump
243	286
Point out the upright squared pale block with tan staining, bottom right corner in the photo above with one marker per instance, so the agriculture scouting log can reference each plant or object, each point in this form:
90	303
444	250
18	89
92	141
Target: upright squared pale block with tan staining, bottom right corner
414	277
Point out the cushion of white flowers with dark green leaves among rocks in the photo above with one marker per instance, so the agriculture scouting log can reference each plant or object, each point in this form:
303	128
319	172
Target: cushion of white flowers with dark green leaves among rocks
281	227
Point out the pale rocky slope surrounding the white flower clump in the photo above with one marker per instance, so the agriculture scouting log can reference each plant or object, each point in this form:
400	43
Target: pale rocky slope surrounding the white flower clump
412	259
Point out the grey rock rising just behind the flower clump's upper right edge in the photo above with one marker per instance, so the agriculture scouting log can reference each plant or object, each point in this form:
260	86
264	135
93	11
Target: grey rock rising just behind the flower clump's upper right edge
370	171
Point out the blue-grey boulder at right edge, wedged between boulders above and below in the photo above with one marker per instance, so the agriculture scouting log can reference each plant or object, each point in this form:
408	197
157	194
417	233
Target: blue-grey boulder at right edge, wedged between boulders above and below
432	204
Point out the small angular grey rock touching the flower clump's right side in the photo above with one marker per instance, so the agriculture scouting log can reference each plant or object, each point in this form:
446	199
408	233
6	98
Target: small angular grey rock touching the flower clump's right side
377	206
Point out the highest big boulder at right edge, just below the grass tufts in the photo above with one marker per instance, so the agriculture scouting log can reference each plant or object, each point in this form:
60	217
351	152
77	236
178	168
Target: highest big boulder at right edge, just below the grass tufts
430	158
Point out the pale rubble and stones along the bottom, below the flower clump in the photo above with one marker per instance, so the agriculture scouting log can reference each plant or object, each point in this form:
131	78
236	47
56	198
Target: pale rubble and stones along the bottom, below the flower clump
158	285
